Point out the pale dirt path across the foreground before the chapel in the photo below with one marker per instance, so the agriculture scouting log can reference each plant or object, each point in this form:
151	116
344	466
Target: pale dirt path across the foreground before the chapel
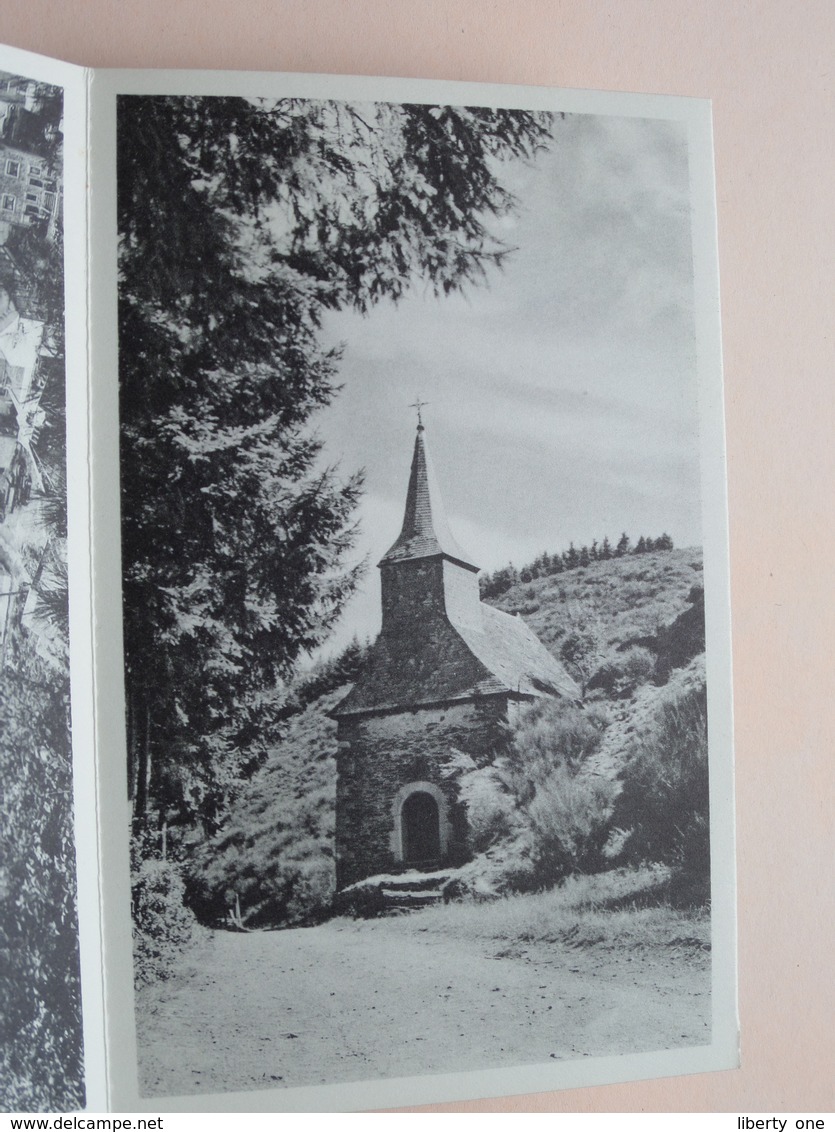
382	999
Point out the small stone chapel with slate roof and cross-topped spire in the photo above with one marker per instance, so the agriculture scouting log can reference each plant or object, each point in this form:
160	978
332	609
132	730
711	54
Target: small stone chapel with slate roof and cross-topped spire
445	678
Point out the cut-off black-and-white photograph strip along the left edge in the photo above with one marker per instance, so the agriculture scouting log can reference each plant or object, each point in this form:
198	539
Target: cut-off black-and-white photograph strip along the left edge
41	1043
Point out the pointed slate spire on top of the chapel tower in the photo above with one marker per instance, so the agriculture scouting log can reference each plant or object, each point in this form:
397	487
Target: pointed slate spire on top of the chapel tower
426	531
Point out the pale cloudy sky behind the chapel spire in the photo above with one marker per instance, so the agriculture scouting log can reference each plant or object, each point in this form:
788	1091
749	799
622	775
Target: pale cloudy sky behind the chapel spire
563	401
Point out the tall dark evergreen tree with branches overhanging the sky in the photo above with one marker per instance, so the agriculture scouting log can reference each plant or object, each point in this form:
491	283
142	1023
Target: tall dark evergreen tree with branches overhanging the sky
242	222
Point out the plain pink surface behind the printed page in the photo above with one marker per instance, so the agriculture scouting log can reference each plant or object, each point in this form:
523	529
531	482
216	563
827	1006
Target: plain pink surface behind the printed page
768	65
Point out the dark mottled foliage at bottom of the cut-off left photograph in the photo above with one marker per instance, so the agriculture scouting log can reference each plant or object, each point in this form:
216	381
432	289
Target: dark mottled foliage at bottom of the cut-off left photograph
40	1014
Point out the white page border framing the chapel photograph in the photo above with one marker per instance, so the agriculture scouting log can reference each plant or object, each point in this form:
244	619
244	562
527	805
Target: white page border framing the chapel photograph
724	1052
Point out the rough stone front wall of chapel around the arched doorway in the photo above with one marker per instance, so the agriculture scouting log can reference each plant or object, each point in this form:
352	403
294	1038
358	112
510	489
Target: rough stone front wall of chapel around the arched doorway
381	756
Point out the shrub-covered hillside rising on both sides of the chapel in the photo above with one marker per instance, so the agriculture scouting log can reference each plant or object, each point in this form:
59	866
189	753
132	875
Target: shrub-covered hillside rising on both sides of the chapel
618	781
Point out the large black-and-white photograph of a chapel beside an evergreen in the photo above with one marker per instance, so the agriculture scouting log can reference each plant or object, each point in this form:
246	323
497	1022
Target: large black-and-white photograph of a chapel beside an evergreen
416	536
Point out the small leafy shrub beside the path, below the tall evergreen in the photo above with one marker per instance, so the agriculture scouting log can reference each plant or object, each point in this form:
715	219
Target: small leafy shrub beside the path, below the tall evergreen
162	925
